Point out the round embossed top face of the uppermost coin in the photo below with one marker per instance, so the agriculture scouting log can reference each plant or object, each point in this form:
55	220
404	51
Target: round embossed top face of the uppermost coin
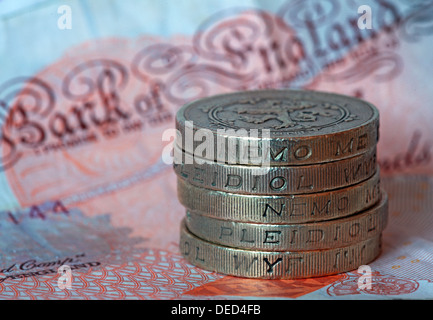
283	112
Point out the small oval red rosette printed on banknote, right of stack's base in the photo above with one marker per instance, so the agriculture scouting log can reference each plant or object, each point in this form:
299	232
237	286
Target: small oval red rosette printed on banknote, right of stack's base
386	285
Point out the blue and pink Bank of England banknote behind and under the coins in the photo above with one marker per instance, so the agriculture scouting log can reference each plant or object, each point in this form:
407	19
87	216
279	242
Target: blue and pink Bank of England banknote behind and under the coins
88	207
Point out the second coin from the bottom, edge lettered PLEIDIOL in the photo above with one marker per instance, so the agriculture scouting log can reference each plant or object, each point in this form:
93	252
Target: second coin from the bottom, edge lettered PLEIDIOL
291	237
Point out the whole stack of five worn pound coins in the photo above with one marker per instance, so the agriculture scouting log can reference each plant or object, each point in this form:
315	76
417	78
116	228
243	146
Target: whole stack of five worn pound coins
279	184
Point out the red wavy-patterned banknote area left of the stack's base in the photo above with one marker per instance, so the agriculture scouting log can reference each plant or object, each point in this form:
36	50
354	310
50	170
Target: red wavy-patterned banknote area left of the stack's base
154	274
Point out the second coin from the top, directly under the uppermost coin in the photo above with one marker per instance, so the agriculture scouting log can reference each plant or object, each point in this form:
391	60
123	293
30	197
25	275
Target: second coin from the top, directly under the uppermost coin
274	180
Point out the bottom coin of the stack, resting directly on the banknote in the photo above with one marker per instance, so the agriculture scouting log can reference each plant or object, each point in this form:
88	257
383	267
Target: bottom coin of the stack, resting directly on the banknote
276	265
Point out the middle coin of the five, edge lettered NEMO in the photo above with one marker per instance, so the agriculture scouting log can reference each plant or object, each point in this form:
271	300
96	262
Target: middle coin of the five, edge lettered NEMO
280	209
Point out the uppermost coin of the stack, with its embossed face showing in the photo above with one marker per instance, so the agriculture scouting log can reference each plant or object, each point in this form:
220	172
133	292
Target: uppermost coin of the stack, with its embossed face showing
277	127
